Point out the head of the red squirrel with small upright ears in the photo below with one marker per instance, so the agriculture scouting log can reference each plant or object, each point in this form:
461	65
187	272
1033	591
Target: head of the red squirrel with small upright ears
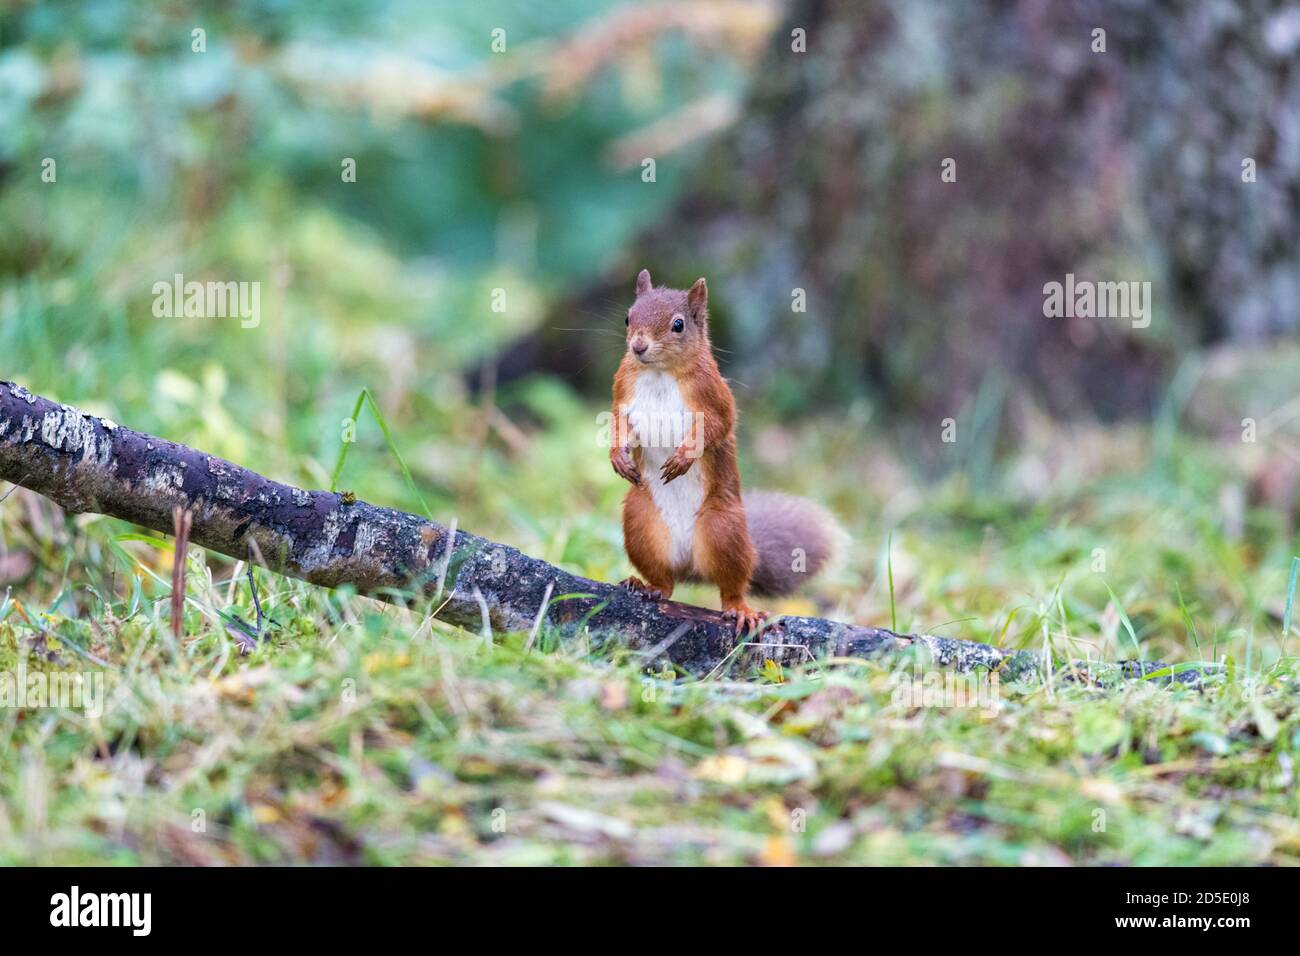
668	327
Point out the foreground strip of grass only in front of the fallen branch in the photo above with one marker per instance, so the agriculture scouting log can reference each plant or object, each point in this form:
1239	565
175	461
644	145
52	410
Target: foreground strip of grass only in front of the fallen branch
362	737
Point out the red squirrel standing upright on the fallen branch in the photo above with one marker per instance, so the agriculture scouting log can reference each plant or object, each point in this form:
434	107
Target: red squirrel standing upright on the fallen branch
674	438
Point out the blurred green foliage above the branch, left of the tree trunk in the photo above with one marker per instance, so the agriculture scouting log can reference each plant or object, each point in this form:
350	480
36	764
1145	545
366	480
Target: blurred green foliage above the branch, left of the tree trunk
475	171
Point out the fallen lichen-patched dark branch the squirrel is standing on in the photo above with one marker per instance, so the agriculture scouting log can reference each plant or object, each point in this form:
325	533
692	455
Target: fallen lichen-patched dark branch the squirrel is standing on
90	465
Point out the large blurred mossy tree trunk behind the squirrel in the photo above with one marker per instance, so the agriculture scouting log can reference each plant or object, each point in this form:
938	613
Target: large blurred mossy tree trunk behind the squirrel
1117	166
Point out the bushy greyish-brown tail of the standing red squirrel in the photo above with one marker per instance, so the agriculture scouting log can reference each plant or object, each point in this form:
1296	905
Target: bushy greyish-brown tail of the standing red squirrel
795	539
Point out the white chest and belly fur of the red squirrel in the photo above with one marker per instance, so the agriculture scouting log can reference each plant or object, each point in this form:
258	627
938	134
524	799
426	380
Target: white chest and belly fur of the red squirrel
661	422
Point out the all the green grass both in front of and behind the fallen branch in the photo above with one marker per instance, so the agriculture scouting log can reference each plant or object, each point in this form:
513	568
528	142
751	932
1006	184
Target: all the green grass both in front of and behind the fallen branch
367	734
